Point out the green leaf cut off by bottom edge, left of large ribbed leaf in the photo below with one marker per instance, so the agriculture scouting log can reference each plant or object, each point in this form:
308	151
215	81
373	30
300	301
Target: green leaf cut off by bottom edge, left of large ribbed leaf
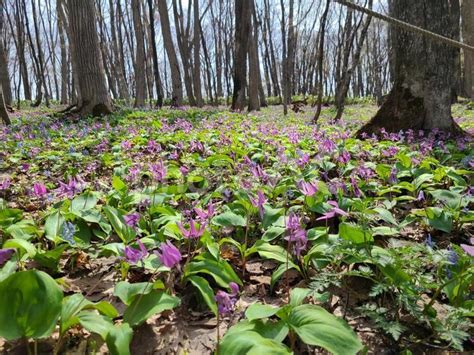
251	343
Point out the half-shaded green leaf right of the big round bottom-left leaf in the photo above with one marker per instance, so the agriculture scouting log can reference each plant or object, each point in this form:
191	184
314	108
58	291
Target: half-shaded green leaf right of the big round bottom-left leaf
144	306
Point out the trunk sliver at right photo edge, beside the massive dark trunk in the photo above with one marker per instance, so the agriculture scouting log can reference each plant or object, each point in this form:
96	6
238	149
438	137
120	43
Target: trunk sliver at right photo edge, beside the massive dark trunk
468	37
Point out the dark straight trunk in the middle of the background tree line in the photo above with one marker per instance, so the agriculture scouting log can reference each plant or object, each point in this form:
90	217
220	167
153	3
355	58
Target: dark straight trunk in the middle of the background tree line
242	31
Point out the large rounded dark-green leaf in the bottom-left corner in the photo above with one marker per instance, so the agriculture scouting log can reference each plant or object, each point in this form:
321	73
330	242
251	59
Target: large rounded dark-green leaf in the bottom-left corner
30	305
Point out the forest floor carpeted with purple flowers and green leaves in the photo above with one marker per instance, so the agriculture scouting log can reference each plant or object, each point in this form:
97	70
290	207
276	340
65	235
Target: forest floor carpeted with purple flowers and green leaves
388	224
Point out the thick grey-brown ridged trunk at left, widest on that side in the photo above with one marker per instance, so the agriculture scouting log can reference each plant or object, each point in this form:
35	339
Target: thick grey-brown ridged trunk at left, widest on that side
94	96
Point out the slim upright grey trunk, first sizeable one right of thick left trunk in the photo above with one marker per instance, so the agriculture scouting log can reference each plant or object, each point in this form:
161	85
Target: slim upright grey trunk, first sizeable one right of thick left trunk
140	80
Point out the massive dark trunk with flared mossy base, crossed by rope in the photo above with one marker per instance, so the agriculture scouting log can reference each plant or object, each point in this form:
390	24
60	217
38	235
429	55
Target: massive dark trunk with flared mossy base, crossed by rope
424	71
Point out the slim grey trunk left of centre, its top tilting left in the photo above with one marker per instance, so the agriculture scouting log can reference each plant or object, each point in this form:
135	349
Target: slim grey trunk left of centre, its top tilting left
177	95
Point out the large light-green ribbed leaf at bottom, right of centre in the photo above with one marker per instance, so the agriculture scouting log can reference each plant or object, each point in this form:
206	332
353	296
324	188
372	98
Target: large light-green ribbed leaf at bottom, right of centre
316	326
